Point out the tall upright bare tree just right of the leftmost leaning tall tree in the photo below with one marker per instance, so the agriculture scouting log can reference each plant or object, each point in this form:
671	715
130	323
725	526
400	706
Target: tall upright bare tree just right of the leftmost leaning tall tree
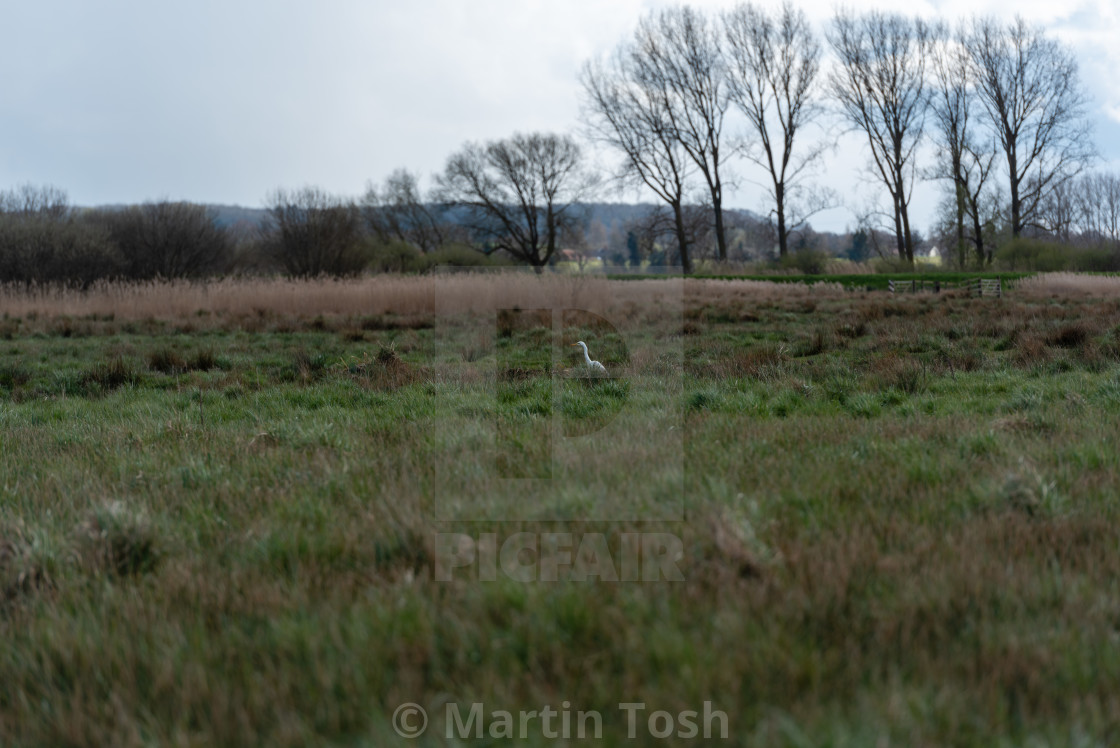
678	53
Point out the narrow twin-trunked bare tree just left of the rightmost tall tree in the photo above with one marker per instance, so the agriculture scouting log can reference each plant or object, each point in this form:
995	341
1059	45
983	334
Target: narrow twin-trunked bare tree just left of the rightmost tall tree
965	161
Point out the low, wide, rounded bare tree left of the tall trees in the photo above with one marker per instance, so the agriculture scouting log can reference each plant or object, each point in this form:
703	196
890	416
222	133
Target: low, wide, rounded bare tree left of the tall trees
519	193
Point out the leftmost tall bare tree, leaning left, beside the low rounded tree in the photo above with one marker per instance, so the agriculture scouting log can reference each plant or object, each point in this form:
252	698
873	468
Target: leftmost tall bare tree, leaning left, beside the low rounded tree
624	113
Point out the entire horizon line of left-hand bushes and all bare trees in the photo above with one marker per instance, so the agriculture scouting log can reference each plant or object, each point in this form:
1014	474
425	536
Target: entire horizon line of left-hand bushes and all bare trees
993	110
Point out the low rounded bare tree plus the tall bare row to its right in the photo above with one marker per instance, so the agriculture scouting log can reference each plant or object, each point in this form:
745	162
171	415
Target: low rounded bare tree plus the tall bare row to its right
994	110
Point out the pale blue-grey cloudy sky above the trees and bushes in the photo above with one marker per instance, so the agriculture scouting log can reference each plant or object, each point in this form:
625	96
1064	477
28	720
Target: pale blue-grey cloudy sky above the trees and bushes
222	101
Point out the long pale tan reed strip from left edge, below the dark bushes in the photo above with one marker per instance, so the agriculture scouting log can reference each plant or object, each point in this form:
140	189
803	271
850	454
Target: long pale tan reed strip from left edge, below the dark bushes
237	297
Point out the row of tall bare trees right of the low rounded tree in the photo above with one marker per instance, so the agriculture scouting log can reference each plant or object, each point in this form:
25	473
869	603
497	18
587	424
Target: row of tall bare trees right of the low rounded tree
1001	105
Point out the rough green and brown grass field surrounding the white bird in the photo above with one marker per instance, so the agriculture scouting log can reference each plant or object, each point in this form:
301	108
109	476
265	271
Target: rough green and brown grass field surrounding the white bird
258	513
